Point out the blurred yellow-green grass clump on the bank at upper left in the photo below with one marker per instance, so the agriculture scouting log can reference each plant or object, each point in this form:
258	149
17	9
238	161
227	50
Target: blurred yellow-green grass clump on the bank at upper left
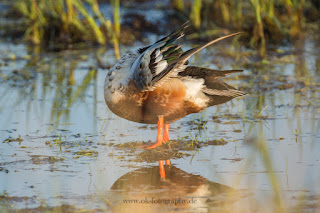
68	21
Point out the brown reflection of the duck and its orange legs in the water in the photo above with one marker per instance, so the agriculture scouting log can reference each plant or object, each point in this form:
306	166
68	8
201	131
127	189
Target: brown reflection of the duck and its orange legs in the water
148	190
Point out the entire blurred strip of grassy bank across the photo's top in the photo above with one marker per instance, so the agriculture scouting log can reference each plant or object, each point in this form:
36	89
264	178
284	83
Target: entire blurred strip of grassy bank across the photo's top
60	23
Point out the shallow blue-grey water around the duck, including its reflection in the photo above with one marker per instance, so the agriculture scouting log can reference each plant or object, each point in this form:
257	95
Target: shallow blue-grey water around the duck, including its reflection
57	137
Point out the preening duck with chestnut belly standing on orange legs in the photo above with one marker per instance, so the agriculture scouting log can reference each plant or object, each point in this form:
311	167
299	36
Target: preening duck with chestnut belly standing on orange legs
154	84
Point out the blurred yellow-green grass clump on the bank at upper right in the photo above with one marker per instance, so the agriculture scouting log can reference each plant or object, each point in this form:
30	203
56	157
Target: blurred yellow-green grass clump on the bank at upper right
264	21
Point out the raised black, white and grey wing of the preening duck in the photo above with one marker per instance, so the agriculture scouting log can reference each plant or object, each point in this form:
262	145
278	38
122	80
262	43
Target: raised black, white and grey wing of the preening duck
163	60
